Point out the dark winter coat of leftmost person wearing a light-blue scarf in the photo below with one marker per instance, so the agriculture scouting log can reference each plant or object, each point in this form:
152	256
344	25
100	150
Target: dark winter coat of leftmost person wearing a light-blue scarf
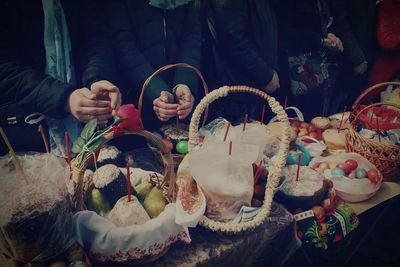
24	88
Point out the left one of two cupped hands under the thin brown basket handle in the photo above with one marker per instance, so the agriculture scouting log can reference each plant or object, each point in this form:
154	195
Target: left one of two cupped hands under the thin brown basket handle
164	106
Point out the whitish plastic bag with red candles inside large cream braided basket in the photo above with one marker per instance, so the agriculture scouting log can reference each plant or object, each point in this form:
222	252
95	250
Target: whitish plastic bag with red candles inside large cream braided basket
226	180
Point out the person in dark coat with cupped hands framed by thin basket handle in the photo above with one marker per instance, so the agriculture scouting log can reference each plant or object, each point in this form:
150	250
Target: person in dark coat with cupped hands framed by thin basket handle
148	35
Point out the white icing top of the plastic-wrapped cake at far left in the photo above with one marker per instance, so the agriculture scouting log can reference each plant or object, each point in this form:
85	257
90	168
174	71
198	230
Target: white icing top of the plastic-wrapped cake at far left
43	186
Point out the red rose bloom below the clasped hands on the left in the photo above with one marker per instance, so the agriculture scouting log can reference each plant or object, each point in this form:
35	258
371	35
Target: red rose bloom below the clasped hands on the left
132	121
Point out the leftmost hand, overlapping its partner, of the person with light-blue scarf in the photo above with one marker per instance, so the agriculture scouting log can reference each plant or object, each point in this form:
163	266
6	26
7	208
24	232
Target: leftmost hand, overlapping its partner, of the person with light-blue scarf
84	106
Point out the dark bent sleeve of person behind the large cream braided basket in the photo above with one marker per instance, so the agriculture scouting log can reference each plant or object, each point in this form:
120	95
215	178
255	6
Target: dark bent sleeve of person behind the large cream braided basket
233	40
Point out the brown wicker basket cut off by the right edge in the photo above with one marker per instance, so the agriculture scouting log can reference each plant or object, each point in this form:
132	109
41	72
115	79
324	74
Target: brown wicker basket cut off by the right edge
385	157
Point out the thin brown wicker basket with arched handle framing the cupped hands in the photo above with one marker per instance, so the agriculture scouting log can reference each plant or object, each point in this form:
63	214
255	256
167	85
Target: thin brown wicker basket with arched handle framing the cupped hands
177	158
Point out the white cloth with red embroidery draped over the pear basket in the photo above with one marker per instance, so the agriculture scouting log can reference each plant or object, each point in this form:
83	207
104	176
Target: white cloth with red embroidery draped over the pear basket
107	242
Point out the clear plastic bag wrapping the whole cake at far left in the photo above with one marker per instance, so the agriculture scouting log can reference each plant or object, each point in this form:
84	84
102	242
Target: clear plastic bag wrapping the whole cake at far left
36	214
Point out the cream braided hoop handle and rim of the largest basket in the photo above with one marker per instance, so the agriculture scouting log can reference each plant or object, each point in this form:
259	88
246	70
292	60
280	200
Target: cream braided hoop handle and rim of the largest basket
274	172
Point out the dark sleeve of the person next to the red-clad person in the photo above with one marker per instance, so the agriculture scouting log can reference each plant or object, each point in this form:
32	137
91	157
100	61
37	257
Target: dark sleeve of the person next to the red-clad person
352	49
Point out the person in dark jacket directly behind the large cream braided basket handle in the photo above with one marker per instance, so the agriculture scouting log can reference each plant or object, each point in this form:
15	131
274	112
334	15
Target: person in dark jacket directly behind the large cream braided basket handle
246	52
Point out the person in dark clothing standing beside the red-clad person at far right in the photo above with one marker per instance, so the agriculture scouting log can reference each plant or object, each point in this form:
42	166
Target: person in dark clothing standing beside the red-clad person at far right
355	25
